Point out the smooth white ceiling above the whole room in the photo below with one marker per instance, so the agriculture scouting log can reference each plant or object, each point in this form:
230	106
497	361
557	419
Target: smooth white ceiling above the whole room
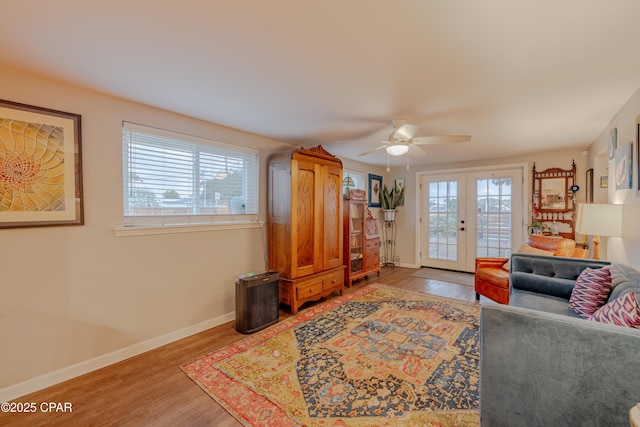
519	76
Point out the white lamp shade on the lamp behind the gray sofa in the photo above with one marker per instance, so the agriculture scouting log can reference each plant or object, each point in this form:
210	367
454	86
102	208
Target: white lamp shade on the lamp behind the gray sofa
599	220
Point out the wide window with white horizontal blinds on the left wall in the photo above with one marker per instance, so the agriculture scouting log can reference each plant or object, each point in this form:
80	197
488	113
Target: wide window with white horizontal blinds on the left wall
172	178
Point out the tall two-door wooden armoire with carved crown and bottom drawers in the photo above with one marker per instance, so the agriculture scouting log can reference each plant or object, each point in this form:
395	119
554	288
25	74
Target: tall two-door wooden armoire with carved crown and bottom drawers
305	224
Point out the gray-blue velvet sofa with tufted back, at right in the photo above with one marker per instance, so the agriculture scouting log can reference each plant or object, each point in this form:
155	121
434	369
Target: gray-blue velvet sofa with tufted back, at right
543	365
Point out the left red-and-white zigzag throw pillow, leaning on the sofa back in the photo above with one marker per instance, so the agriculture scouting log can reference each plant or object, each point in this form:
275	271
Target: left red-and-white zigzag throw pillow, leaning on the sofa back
591	291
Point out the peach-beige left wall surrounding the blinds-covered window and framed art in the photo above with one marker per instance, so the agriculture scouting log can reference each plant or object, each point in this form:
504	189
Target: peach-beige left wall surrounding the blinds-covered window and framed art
72	296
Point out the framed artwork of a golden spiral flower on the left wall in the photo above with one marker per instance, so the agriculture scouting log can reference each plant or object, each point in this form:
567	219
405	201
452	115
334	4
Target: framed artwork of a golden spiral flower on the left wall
40	167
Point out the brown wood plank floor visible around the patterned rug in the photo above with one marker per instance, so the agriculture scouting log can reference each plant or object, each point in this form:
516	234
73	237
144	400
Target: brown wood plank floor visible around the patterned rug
151	390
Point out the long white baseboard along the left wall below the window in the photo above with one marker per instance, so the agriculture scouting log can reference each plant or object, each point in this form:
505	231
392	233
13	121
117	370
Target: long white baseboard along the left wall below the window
64	374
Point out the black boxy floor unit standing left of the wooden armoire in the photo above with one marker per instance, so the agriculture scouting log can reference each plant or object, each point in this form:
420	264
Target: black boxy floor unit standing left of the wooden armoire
256	301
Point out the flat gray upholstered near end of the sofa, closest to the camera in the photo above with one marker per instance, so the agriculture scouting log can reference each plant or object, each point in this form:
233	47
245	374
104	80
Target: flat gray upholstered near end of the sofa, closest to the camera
541	369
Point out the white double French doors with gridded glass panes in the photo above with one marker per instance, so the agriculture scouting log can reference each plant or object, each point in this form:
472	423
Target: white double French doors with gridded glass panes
469	214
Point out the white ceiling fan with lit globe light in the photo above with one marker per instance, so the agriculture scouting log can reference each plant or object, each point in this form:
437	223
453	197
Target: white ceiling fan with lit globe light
403	140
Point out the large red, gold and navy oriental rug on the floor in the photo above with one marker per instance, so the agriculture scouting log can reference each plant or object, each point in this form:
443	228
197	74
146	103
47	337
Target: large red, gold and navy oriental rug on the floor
379	356
